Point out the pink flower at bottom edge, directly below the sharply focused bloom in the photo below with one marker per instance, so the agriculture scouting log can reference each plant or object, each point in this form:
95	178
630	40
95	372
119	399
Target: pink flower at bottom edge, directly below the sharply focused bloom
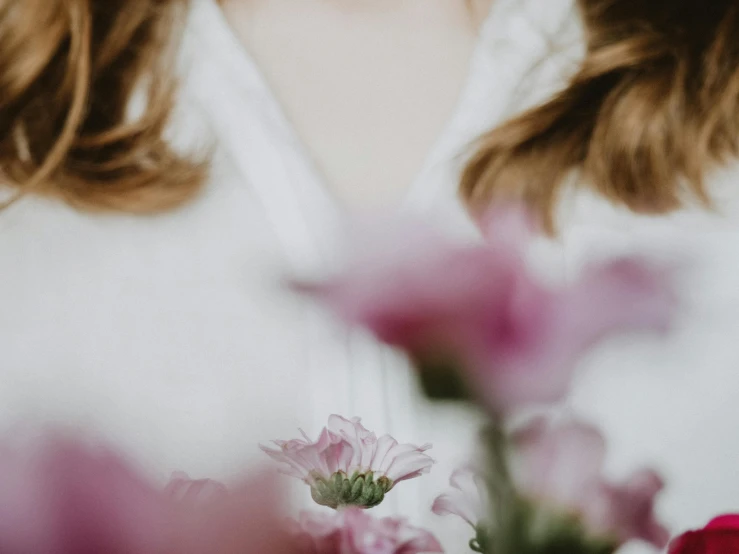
353	531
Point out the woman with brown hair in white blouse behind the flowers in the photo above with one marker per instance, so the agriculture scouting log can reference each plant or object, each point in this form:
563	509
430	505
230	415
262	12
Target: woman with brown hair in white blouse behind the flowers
144	304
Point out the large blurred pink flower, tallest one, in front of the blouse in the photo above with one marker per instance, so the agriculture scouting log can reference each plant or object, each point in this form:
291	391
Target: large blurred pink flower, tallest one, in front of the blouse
478	309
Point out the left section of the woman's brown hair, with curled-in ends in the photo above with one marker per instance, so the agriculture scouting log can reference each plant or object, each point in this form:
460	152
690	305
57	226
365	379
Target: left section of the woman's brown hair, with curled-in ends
68	70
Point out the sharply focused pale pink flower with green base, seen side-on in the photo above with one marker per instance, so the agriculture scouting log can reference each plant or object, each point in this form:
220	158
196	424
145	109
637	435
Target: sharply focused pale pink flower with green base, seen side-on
349	465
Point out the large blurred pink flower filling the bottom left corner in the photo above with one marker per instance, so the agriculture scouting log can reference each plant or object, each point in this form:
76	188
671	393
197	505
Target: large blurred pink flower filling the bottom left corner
61	496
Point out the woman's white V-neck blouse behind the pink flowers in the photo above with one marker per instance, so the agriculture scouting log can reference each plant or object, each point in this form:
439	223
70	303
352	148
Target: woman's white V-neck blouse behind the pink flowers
174	337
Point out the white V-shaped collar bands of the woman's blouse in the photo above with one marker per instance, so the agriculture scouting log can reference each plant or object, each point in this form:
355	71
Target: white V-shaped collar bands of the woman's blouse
253	132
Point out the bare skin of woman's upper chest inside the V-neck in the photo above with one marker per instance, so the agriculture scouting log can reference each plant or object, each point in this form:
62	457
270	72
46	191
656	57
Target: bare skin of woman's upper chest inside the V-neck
368	87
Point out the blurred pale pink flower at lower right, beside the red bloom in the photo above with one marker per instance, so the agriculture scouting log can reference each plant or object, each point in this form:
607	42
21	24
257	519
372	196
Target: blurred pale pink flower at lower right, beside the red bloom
560	468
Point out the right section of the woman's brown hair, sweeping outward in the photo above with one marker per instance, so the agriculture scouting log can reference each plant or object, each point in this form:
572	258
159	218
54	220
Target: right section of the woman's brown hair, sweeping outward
652	108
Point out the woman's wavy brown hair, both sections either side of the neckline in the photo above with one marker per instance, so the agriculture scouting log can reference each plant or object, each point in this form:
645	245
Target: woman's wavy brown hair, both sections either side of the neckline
655	103
